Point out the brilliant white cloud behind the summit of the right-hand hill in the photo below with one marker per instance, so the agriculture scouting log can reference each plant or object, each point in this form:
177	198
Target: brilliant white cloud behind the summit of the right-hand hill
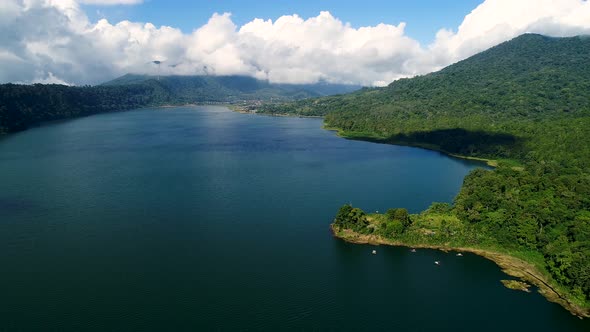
495	21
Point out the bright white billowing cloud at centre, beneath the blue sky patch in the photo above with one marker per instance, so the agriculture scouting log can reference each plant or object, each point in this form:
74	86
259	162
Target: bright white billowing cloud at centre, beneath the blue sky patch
296	50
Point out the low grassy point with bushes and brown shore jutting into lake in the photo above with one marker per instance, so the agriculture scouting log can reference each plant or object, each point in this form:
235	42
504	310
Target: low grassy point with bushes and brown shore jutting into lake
443	231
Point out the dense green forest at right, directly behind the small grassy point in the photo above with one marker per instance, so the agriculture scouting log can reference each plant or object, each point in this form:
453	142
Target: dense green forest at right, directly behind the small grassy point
544	207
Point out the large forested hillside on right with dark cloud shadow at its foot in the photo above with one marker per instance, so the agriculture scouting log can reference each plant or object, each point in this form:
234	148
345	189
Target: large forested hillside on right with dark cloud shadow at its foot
511	89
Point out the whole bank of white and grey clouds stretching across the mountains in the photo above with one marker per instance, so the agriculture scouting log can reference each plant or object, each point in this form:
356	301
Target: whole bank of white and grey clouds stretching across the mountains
54	41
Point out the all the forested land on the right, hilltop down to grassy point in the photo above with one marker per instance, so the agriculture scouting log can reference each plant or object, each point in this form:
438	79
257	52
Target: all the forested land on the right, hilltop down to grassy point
525	104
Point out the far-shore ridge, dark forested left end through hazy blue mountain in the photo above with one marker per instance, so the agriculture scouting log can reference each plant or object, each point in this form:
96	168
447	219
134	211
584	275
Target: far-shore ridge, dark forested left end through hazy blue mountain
22	106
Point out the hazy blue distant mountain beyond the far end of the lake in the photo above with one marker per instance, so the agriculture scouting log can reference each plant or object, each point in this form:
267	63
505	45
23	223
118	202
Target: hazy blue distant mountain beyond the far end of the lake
195	89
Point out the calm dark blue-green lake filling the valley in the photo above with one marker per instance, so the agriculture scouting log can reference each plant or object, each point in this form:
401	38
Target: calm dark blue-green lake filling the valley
199	218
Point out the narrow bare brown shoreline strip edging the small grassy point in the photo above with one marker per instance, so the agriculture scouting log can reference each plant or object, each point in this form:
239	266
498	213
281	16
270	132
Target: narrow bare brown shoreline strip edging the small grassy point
510	265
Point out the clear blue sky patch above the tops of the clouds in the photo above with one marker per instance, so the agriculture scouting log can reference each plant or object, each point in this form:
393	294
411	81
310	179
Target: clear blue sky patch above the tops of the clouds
423	17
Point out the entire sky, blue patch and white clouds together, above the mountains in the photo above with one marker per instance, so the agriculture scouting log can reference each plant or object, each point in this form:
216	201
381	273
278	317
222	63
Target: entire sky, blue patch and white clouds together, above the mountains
65	41
